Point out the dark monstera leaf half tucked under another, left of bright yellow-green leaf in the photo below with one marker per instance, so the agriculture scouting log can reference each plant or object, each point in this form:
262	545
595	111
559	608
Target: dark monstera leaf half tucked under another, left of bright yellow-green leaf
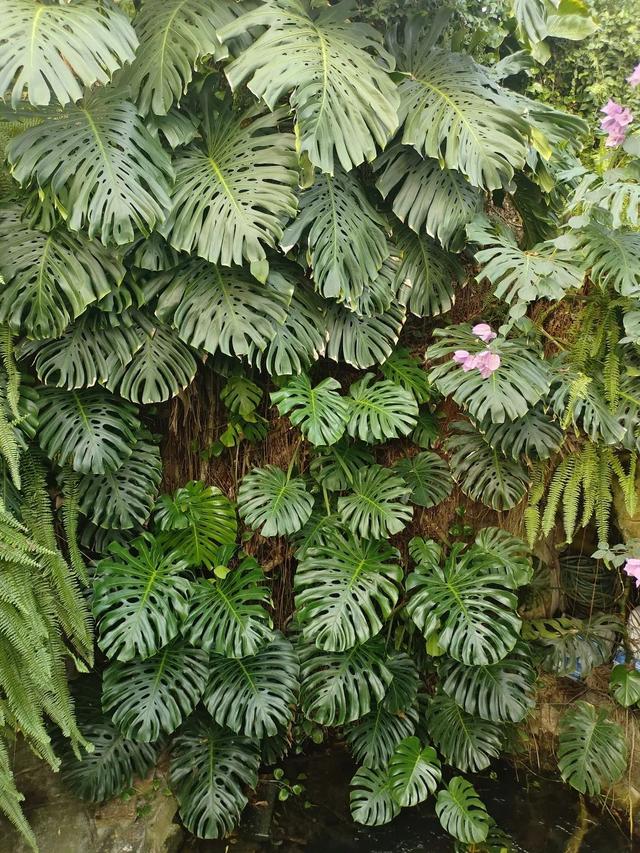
123	499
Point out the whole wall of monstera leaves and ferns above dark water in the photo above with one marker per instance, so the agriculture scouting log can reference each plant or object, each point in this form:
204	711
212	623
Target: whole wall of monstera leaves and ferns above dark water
289	196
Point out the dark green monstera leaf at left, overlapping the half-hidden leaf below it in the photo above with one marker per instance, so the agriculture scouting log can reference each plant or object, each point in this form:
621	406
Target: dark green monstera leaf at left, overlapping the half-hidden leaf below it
91	430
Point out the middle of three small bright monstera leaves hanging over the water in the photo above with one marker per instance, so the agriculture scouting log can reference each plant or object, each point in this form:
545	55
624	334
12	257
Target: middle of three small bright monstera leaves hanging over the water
414	772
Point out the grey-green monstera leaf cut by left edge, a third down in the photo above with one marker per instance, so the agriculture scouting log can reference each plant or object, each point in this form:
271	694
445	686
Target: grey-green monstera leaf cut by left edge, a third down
49	278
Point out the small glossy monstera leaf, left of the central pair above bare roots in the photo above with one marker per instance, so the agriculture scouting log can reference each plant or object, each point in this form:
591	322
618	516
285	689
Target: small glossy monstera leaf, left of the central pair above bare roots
320	412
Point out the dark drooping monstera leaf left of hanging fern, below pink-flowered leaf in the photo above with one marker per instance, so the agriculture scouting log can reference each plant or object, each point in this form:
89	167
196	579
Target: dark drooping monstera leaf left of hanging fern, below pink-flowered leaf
482	472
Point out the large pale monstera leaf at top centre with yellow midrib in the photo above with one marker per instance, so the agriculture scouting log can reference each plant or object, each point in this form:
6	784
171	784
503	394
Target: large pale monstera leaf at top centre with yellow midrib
343	97
